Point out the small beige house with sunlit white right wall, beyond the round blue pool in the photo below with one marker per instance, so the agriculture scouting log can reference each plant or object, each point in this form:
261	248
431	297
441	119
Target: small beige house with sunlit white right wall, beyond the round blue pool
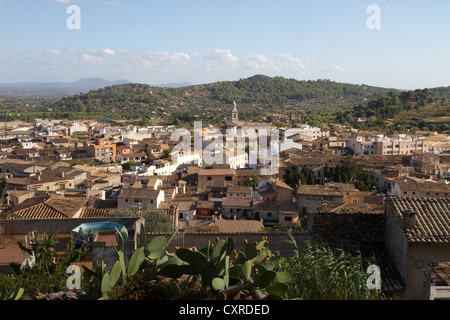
140	198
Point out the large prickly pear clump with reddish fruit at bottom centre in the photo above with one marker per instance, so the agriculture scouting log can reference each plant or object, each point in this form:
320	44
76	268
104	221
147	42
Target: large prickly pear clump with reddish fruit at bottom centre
250	270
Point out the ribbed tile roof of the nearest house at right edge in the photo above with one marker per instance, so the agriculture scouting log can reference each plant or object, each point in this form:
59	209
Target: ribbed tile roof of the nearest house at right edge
430	218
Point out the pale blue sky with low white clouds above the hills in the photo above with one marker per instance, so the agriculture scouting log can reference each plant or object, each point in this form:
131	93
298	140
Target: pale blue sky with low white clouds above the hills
393	44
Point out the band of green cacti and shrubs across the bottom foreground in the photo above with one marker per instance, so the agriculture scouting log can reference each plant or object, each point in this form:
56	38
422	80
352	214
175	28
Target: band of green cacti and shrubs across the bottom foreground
217	271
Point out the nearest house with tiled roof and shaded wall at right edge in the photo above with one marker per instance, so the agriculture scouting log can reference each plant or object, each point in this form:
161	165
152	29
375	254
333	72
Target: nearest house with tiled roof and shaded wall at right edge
417	234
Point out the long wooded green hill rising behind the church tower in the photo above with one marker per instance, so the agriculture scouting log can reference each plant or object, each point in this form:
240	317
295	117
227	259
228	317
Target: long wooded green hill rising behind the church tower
256	96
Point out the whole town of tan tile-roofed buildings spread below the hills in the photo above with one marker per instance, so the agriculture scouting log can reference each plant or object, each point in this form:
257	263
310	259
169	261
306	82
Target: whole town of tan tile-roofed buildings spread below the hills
60	174
